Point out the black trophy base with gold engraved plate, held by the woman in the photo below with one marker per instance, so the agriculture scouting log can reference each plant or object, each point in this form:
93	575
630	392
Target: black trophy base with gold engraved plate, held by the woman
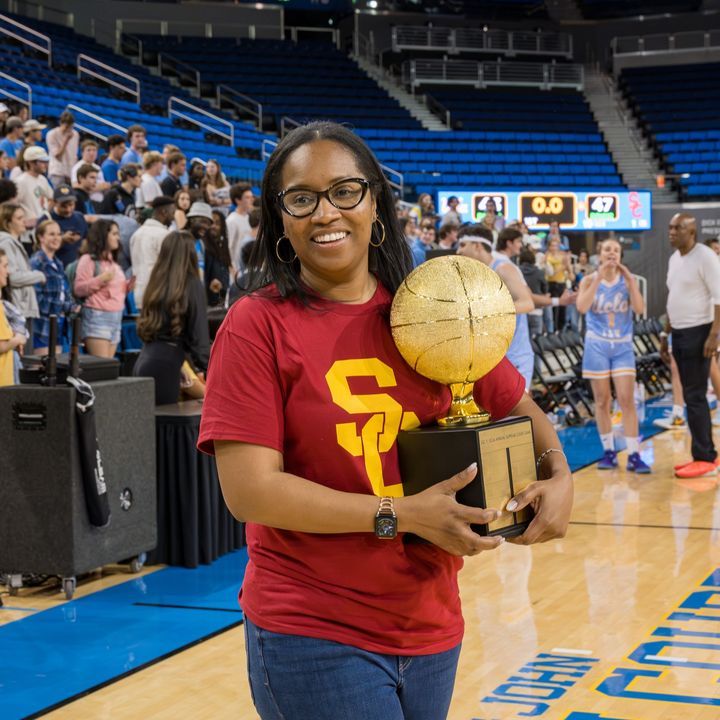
504	452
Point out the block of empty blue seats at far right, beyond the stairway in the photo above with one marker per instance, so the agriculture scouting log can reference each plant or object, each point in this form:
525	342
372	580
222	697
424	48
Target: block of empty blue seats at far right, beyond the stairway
680	107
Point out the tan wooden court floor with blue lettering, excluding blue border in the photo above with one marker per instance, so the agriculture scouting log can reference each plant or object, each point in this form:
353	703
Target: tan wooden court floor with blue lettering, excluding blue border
620	620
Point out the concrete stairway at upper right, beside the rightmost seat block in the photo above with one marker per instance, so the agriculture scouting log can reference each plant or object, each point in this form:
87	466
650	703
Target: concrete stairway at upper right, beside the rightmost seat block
629	149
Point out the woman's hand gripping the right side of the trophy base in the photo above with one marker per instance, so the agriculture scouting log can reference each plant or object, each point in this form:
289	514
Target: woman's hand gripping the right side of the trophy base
551	500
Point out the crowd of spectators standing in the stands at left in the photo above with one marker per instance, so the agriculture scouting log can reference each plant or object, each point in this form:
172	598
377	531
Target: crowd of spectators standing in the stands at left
83	225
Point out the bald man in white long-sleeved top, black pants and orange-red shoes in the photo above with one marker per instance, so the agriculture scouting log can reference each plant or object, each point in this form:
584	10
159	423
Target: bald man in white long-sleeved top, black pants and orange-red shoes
693	307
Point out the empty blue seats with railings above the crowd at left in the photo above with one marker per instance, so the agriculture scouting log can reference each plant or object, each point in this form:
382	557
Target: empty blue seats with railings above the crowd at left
54	88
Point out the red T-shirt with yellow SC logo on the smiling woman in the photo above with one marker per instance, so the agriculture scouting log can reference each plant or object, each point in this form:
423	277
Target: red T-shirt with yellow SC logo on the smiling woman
328	388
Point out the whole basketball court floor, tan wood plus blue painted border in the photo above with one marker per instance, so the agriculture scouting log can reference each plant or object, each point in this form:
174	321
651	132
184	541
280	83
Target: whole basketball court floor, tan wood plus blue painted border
618	621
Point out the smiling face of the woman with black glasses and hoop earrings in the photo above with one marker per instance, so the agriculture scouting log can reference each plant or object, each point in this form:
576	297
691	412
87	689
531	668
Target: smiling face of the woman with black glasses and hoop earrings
331	244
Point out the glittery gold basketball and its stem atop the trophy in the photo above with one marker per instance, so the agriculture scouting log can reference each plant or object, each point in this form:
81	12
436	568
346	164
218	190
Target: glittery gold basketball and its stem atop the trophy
453	320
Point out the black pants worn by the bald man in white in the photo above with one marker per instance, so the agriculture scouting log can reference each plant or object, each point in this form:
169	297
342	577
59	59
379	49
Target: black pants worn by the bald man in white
694	369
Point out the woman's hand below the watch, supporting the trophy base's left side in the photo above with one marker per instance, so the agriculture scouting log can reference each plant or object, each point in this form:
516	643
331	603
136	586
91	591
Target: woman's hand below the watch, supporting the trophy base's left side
436	516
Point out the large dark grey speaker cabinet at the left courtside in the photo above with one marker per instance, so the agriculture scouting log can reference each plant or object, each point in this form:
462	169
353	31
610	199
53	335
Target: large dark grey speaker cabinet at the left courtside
43	518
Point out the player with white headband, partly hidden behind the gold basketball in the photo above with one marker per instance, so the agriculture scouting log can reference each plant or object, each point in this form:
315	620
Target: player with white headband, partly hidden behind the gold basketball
476	241
